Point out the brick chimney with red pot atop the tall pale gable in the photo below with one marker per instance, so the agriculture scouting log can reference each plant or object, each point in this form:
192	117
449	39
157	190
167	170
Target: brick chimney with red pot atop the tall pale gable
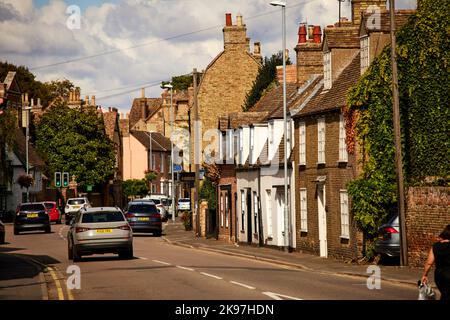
235	36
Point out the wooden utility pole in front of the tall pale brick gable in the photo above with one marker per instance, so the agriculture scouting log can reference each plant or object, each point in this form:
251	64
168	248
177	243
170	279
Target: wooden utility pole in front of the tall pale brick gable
197	141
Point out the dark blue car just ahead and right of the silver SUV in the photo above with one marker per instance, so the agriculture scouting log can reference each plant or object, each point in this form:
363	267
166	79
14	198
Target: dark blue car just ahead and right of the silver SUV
143	216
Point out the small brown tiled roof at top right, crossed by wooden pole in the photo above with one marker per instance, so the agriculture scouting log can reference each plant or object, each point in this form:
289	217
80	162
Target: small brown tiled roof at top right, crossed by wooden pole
401	17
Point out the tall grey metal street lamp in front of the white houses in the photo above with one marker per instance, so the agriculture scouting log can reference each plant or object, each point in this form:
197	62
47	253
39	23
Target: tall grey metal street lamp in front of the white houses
282	4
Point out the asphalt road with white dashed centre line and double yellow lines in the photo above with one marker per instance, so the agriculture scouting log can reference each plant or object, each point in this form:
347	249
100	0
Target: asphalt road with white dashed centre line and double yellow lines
161	271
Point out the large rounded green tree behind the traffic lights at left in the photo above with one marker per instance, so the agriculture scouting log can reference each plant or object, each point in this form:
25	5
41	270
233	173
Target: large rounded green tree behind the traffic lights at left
75	142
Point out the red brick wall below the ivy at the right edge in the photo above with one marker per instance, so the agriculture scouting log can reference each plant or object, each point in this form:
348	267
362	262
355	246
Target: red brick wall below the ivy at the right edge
427	213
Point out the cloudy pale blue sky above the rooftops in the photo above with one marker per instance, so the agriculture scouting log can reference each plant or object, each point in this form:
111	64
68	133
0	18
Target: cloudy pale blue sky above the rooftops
123	45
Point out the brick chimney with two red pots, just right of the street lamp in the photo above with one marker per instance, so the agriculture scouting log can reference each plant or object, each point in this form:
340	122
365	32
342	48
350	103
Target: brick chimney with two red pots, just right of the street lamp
309	53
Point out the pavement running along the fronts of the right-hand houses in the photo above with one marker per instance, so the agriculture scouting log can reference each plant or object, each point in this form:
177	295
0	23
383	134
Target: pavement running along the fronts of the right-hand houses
174	233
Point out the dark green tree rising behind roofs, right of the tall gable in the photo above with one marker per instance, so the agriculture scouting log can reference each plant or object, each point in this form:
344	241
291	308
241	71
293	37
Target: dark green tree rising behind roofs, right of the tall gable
267	75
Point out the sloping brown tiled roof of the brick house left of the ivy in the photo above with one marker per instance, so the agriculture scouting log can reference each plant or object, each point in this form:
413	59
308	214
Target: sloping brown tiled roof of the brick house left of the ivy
336	97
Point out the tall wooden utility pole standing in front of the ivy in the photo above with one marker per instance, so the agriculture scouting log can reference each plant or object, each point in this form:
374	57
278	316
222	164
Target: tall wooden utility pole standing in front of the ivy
398	143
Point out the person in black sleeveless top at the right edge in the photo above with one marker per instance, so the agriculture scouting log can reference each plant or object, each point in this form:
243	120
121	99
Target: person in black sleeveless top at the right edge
440	254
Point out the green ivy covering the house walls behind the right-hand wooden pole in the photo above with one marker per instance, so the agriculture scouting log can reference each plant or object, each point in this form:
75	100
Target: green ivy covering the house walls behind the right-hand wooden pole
423	65
